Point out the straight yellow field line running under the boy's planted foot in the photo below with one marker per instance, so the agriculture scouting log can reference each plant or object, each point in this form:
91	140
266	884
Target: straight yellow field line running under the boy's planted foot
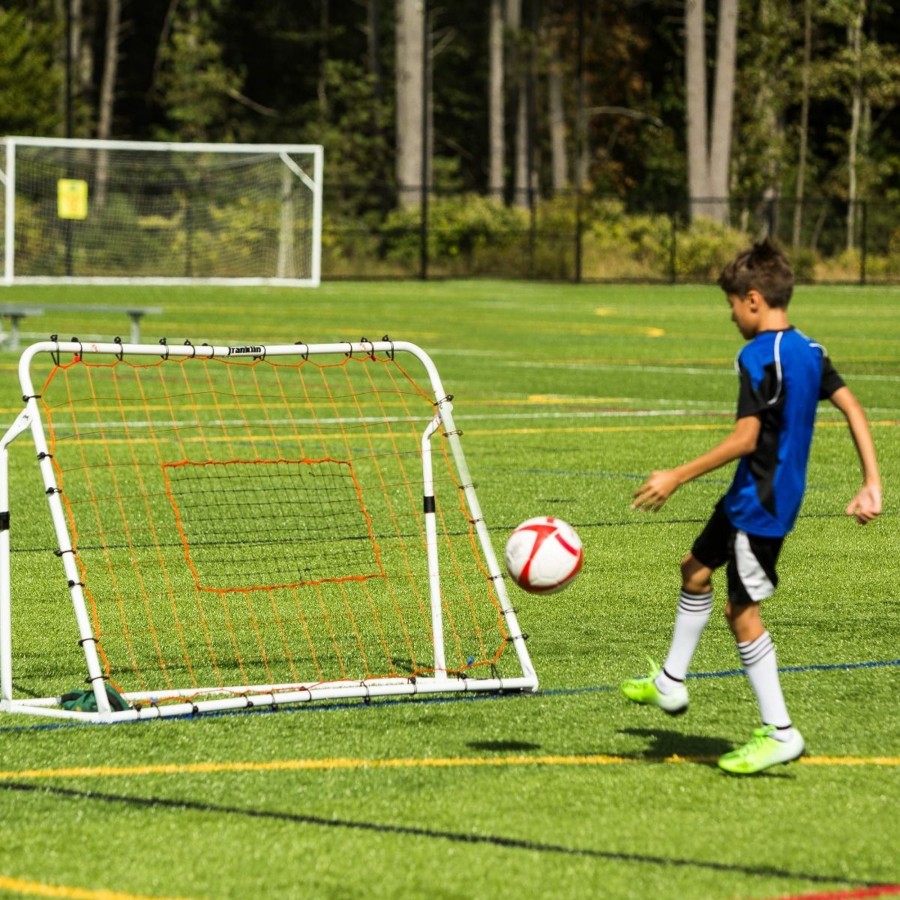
297	765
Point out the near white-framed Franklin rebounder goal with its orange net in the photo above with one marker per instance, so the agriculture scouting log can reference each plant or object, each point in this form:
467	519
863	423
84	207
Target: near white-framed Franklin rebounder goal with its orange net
244	526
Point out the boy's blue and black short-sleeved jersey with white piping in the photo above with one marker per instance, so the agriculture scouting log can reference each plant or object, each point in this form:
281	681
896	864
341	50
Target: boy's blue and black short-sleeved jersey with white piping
783	375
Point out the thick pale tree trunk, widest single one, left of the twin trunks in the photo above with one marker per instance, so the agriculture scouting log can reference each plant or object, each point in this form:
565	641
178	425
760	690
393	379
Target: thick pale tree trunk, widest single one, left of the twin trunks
410	111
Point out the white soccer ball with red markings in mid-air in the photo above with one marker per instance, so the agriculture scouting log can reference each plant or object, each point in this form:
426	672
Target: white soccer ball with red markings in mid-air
544	554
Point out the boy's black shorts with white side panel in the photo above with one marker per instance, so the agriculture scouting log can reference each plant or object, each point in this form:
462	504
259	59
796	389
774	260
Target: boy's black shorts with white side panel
750	560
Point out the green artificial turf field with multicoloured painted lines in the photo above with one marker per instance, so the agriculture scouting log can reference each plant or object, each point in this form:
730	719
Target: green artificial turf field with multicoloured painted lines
567	397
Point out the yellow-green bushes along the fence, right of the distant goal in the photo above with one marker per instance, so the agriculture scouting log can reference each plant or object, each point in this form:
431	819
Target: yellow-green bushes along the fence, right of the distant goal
471	235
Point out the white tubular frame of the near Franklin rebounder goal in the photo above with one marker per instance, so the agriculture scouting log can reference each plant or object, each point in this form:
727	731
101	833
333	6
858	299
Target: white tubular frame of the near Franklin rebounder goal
29	419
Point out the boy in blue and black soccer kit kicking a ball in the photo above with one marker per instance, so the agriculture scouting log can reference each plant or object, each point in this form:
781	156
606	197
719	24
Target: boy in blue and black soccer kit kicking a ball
783	375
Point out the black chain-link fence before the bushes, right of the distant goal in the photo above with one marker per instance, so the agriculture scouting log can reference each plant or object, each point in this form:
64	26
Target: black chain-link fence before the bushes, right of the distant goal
579	238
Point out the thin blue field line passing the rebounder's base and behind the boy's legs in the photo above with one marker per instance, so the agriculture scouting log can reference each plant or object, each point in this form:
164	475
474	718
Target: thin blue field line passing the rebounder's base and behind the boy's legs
454	698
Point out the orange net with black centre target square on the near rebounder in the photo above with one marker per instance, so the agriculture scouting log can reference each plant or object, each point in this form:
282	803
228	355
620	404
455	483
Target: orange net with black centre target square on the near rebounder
259	522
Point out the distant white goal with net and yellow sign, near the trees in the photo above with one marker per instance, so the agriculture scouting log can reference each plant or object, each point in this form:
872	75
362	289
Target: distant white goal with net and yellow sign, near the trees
120	212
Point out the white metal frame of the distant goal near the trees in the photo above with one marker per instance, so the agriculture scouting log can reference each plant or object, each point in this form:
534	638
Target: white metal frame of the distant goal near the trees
313	181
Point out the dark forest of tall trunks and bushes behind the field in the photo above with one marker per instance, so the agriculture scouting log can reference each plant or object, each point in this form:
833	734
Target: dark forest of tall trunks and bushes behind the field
579	140
